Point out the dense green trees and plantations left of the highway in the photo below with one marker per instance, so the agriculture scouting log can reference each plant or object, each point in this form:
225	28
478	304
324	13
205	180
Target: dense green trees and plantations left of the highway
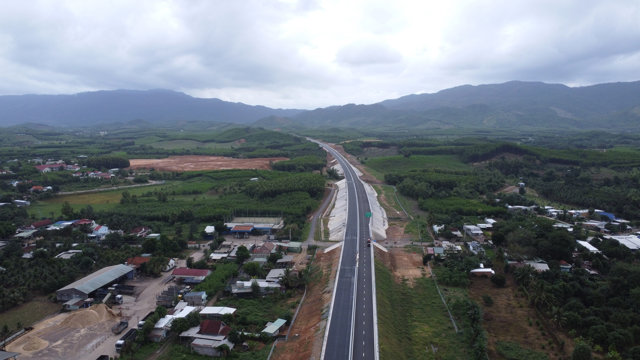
178	206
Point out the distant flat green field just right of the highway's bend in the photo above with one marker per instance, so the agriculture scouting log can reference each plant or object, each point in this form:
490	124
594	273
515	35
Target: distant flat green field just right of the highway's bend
399	163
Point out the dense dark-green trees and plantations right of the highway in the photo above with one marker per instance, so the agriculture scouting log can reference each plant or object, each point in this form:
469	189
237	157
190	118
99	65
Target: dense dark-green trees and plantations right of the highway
459	181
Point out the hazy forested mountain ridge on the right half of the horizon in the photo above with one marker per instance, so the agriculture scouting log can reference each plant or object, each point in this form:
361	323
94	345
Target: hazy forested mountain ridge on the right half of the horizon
512	105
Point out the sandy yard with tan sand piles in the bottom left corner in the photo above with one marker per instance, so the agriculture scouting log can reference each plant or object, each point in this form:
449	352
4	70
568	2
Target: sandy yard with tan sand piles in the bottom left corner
68	335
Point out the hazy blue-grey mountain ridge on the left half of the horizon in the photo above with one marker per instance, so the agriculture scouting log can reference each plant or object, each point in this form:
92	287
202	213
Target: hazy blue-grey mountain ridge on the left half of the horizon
100	107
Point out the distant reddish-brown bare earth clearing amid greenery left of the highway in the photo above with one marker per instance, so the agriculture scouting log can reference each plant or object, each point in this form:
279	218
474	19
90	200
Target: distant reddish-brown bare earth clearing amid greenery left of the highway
195	163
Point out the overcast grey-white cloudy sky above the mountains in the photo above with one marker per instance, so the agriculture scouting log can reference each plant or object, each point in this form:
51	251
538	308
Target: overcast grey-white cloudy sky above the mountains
307	54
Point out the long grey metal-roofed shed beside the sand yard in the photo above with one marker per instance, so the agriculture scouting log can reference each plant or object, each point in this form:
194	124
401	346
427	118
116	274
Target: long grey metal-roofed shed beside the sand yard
92	282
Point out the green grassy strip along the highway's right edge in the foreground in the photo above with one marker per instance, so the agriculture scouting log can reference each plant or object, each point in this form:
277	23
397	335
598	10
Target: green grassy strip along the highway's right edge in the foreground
410	320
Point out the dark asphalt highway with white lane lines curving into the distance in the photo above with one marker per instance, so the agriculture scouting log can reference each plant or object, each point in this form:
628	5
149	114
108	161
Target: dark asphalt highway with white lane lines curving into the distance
351	330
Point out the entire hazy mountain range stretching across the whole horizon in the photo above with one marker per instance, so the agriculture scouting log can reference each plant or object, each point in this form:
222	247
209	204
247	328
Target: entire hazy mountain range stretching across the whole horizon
511	105
